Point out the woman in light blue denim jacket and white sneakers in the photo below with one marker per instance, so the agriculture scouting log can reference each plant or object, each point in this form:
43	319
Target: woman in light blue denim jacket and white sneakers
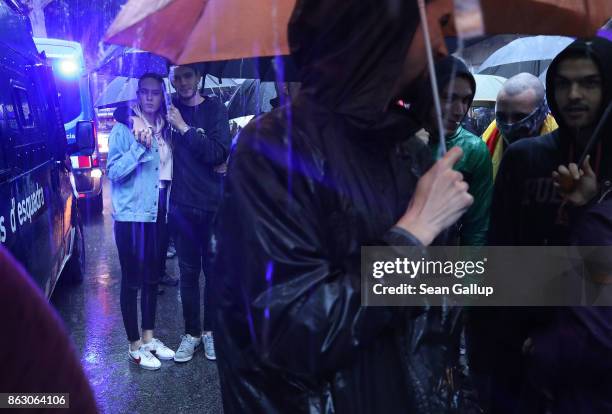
136	168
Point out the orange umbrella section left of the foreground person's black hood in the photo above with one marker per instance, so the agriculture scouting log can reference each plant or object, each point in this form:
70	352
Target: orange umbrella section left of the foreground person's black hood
187	31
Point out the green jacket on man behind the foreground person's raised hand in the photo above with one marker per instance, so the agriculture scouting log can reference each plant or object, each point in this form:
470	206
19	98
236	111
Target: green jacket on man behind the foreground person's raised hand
477	170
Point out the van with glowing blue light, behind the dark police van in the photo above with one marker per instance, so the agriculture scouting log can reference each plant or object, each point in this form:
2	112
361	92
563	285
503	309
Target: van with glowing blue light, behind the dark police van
72	82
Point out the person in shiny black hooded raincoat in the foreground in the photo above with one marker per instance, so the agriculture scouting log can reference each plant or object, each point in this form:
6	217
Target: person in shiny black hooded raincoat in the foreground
309	184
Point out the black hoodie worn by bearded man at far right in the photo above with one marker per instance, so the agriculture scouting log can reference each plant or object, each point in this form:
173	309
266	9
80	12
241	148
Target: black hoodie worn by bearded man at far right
525	207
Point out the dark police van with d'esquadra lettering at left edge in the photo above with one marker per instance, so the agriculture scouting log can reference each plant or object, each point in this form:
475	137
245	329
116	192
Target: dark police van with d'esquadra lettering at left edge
39	222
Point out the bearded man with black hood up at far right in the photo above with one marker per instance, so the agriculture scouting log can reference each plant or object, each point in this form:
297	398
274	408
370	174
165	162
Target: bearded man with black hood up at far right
529	210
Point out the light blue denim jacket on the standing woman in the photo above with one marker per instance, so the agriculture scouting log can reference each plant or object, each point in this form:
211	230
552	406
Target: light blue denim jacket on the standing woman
134	174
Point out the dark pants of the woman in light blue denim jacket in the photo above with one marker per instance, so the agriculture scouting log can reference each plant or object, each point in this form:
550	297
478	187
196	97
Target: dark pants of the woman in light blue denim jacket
139	247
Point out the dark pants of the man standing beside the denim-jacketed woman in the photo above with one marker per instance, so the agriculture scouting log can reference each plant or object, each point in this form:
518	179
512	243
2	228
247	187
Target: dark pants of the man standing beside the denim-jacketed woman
193	232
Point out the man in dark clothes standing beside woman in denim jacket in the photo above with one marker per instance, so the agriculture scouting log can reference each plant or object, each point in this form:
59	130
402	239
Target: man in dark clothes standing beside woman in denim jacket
200	144
